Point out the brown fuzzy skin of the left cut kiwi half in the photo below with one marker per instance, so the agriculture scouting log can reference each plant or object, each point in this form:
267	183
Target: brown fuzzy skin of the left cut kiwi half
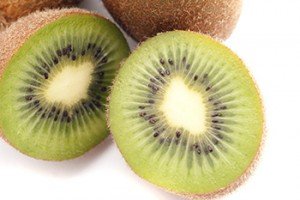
12	38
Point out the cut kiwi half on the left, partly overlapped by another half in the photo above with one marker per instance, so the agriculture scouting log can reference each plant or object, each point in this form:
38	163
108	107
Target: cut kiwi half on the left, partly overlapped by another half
55	76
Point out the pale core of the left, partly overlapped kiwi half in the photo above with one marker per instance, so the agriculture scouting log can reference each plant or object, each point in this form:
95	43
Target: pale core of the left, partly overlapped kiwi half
70	85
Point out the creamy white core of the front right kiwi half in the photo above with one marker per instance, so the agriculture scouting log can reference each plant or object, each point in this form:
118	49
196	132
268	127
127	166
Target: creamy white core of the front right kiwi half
184	107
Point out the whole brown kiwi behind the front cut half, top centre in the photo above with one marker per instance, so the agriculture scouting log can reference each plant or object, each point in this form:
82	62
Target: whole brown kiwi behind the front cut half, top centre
145	18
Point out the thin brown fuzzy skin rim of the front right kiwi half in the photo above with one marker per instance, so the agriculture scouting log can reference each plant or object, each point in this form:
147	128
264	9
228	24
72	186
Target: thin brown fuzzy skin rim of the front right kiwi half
231	187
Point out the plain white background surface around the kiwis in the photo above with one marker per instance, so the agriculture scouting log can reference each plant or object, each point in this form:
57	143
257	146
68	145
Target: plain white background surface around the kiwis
267	38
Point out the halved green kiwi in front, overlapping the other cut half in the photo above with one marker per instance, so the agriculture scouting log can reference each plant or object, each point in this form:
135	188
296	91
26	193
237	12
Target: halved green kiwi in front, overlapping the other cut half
186	115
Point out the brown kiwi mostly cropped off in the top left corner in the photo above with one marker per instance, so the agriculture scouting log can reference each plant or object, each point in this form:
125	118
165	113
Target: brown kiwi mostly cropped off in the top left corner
12	10
